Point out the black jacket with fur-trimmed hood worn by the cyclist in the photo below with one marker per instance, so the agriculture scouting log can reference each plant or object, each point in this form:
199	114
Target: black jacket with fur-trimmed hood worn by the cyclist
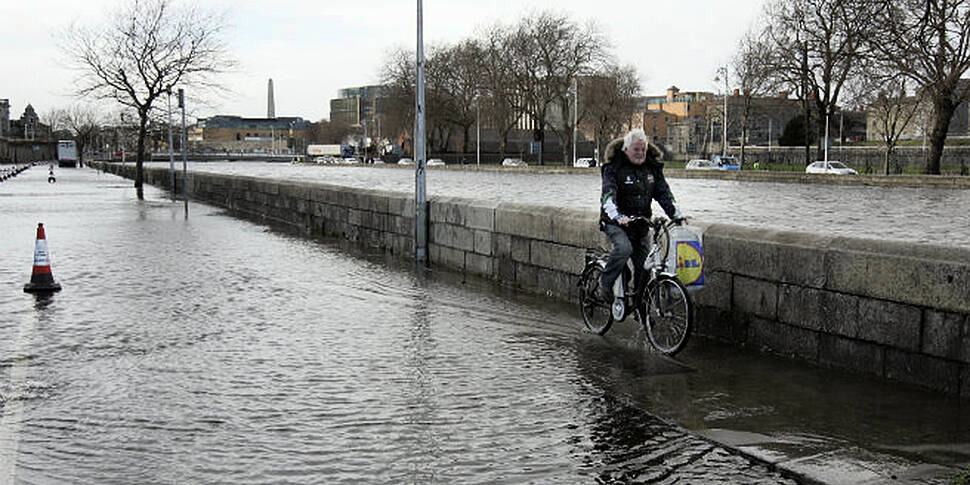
629	189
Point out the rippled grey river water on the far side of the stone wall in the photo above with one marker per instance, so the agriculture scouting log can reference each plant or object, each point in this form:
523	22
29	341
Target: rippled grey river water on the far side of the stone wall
918	215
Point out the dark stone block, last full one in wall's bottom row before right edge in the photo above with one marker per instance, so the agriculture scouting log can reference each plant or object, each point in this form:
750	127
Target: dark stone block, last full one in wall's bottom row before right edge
923	371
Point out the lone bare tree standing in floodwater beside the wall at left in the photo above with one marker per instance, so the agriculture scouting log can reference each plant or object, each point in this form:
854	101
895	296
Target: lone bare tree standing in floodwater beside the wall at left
147	49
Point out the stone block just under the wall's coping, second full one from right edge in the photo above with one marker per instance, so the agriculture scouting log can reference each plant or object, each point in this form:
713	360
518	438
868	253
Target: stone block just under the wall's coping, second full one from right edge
890	323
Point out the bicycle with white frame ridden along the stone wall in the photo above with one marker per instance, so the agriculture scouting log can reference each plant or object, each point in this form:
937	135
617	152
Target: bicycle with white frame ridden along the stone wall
662	306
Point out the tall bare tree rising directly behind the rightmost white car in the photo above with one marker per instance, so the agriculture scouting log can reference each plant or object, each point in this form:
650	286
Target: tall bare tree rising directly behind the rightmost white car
819	44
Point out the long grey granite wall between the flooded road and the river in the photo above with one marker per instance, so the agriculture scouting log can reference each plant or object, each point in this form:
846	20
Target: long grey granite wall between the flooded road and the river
894	310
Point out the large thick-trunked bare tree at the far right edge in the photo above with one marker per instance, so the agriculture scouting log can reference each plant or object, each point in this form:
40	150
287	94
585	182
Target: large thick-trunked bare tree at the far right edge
928	41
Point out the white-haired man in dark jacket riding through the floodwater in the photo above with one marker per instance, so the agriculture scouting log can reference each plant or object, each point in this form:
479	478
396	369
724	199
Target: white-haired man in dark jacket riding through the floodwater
632	178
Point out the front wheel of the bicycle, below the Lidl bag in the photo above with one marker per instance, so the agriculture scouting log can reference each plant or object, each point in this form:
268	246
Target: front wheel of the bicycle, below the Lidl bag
668	315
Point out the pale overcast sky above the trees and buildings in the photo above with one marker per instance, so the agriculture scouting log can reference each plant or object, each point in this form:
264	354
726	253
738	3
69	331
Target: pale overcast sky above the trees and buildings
313	48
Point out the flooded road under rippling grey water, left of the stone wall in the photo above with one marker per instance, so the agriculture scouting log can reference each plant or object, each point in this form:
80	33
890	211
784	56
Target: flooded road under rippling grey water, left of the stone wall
207	349
